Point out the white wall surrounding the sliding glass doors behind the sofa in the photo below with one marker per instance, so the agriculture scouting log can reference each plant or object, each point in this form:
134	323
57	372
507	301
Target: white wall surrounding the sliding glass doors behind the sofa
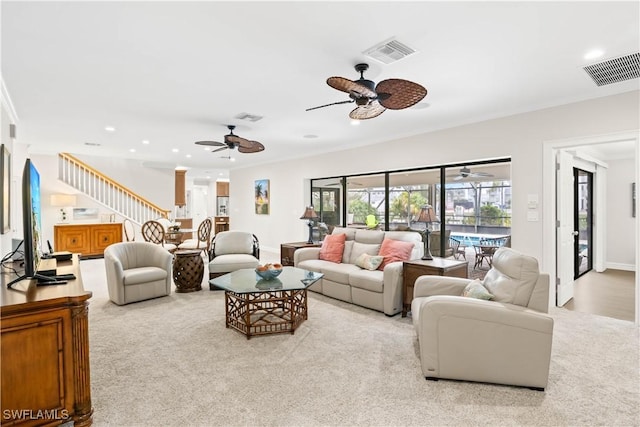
519	137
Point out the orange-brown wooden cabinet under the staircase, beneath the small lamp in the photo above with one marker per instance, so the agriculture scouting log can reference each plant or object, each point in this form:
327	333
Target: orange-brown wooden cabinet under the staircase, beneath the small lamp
88	240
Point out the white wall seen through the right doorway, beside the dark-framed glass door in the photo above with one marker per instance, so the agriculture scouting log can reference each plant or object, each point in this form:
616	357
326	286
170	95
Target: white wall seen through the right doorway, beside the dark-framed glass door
621	227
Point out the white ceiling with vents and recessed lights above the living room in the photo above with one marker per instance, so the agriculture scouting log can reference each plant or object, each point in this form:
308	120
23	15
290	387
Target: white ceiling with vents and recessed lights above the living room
177	72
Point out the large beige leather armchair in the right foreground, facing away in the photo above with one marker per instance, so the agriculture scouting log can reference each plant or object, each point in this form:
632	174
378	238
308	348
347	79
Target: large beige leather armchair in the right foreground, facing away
499	332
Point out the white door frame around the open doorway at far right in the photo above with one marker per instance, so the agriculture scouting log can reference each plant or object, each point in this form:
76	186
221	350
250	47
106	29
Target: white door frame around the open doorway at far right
549	203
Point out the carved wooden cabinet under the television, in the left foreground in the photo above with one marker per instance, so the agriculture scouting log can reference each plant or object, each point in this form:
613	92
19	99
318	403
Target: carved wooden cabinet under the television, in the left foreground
45	352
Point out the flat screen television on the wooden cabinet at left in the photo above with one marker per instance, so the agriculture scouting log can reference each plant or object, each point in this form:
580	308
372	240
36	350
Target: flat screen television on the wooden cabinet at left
31	223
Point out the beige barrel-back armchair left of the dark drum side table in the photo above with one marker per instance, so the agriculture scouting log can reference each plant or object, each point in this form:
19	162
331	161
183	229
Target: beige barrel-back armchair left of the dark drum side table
137	271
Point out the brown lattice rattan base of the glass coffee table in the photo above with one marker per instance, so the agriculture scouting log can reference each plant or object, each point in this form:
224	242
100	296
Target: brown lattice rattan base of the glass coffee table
267	312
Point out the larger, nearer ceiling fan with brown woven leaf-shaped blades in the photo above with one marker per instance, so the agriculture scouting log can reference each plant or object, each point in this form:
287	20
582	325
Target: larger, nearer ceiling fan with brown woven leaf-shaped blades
371	99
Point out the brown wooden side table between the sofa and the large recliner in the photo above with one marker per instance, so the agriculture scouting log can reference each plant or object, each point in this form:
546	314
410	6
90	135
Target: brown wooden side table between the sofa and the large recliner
413	269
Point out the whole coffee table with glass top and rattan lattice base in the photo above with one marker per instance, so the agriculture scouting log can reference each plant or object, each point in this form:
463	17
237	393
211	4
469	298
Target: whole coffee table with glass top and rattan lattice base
255	306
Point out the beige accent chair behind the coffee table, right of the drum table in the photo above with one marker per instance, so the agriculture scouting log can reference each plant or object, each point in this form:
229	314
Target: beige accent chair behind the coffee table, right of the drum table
231	251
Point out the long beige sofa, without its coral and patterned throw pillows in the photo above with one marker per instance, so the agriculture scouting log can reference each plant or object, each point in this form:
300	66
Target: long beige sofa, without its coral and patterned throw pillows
377	290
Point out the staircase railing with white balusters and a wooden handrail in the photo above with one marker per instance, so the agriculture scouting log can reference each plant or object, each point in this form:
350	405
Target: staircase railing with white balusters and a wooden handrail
106	191
